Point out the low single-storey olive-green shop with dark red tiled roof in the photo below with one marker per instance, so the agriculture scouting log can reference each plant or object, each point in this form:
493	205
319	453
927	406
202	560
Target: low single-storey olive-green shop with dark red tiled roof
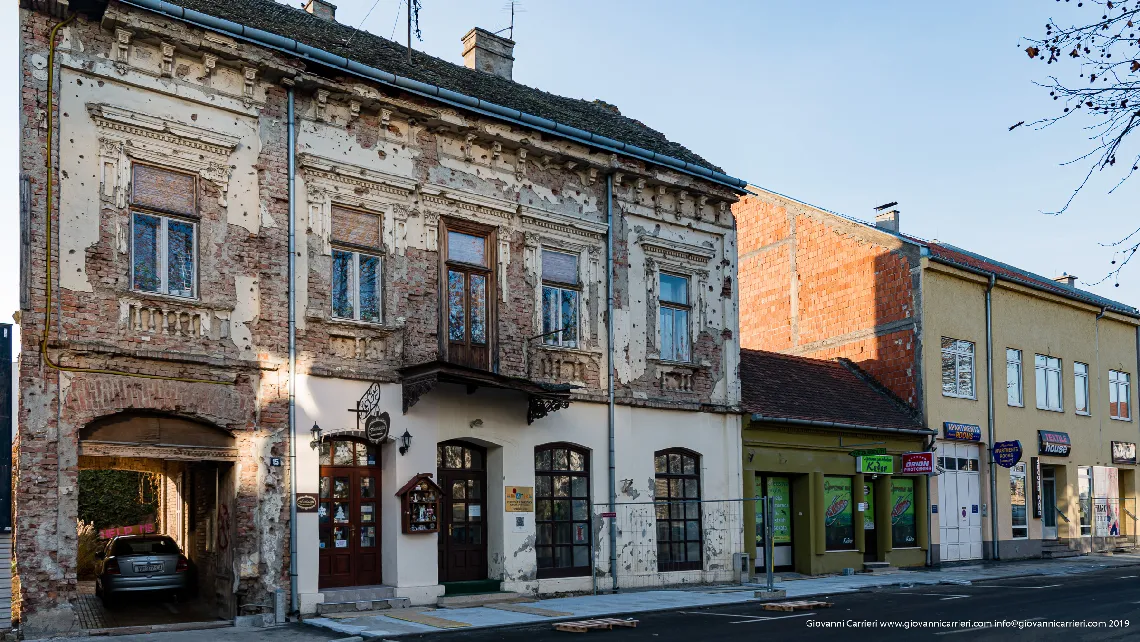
827	444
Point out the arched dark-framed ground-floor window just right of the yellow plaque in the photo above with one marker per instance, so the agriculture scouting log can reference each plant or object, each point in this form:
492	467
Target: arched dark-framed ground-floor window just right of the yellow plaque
563	511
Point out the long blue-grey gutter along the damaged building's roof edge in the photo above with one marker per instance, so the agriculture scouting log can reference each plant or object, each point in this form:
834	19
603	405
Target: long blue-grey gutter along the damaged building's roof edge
436	93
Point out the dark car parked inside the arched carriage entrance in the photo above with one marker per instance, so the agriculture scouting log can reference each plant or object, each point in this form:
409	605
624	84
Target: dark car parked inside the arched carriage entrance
142	564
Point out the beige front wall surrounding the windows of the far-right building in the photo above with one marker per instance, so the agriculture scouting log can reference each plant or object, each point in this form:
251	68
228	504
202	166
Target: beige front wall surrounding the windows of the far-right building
1035	323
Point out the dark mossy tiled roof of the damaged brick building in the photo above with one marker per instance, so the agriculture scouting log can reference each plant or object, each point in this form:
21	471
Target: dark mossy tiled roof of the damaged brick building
384	54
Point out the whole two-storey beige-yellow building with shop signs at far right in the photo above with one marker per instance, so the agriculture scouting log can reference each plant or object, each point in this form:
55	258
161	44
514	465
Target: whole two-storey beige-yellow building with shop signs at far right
1065	361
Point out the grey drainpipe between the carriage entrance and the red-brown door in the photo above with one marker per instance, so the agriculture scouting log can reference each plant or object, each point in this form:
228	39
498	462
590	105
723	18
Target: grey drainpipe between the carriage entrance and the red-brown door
292	355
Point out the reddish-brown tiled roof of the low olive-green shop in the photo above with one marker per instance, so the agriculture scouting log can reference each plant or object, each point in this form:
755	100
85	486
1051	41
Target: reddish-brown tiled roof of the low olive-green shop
795	388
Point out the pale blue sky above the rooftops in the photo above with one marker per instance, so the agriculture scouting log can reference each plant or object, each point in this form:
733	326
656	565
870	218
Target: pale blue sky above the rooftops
844	105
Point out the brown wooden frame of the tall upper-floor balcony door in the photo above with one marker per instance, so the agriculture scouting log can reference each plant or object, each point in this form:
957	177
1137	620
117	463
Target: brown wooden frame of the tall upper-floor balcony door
491	272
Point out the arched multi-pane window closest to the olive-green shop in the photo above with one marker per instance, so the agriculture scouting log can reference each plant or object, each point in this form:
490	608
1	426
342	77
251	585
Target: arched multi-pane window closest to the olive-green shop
678	494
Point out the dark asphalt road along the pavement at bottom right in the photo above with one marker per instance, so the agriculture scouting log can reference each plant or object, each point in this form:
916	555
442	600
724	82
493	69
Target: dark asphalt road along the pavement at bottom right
1110	598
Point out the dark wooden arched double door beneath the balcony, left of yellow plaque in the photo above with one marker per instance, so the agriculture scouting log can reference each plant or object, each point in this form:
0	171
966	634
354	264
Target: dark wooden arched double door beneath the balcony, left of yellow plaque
462	474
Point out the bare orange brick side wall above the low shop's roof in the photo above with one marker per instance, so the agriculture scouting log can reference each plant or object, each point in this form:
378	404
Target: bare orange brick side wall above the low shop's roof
818	286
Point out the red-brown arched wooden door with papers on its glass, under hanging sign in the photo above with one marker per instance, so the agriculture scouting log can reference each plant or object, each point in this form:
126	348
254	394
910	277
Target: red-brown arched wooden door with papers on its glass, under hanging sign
349	514
